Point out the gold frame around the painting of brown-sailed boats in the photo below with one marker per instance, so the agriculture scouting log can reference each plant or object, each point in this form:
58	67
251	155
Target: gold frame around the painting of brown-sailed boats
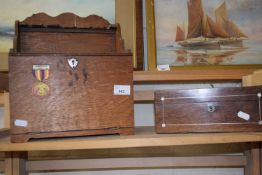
152	50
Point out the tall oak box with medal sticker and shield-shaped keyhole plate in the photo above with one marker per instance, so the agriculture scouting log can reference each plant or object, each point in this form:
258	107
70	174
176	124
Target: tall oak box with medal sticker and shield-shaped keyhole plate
85	92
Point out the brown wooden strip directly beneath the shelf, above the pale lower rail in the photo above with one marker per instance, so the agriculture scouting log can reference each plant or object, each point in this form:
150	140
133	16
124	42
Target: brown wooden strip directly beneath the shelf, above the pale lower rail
167	151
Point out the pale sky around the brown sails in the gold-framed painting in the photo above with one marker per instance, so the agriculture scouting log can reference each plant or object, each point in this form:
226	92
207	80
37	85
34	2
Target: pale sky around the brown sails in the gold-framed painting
247	14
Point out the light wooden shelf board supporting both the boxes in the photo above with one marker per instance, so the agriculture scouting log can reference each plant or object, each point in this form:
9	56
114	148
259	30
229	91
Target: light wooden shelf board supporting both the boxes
145	137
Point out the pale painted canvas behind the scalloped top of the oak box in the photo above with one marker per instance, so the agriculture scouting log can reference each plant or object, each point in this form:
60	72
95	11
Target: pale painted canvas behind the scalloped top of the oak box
12	10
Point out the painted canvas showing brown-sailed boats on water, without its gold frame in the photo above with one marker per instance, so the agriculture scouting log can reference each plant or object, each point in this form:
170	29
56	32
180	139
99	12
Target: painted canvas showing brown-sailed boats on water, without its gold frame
208	32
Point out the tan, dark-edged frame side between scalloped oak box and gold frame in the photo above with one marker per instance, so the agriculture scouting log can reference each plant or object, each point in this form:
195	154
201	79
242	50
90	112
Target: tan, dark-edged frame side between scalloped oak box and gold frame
129	15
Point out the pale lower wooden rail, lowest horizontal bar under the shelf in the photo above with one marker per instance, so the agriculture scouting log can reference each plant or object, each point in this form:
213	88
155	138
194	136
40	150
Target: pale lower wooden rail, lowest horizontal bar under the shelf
136	163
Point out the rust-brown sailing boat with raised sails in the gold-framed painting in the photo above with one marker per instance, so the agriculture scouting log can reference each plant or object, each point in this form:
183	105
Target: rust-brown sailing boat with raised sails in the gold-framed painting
203	32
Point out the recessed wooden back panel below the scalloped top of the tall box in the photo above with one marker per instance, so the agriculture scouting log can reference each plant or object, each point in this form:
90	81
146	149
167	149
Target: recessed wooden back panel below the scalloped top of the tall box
72	41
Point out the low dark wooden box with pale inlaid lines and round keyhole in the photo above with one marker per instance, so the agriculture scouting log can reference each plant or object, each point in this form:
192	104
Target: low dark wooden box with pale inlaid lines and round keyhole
208	110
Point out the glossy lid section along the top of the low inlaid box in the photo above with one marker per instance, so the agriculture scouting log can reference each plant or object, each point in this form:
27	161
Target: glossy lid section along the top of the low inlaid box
208	95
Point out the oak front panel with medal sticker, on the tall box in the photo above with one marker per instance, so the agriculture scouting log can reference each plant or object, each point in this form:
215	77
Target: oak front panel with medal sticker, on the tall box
79	99
